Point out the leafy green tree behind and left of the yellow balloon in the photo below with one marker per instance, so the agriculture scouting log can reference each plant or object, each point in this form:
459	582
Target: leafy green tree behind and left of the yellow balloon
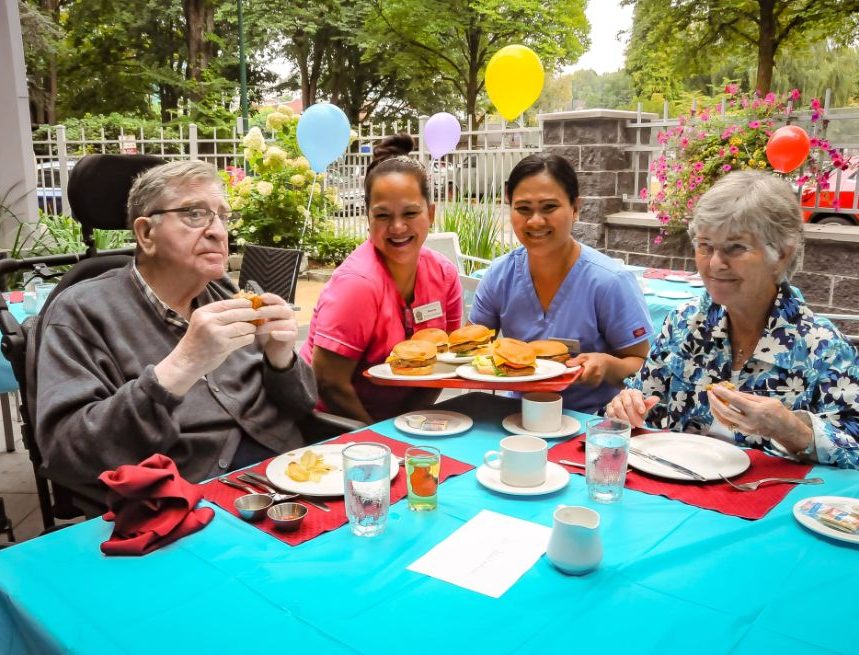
446	44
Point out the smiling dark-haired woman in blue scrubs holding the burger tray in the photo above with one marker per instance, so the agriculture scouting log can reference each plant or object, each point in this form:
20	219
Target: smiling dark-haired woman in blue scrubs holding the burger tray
554	286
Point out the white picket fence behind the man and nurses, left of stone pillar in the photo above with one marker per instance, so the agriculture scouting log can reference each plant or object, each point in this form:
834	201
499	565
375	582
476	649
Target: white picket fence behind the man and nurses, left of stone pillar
472	175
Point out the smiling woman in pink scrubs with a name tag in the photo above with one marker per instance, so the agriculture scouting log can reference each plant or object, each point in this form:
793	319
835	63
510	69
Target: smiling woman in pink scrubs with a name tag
386	290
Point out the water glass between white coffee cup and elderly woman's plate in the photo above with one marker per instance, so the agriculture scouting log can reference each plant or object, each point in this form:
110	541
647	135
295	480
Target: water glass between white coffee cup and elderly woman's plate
606	451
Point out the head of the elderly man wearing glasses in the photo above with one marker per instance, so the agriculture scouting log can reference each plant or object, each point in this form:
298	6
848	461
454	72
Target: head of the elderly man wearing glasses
176	212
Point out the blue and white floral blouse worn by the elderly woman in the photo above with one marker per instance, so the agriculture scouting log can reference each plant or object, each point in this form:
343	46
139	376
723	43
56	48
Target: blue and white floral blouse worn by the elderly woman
801	358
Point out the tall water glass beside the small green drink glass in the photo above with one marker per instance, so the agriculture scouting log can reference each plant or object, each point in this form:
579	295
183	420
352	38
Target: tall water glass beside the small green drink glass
367	483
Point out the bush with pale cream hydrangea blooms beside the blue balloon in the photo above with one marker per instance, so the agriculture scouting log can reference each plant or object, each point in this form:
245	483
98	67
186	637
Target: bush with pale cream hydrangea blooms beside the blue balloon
281	203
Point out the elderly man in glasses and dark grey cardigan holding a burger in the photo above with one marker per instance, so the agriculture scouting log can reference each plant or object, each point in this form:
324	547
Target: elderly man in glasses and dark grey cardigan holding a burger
158	357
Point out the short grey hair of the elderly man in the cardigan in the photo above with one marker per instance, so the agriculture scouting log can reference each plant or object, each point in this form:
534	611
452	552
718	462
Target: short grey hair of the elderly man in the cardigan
151	186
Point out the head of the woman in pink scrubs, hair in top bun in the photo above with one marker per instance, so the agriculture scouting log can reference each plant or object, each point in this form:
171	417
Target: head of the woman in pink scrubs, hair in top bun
399	209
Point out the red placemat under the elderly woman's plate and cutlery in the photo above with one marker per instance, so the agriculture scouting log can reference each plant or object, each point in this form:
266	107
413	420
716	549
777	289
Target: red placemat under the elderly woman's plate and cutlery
717	496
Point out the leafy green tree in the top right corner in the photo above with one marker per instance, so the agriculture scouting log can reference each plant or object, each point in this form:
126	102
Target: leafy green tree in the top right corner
669	33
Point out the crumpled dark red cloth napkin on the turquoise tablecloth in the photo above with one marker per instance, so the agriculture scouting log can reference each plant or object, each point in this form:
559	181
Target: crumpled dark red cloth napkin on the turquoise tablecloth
151	506
